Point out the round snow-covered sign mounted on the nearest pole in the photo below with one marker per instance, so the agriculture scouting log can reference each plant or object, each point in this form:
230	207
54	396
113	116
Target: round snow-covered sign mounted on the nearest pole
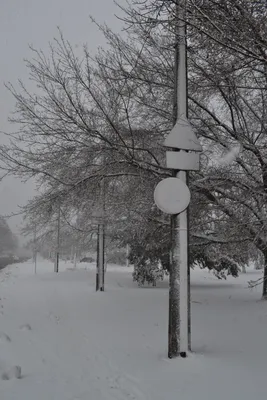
172	196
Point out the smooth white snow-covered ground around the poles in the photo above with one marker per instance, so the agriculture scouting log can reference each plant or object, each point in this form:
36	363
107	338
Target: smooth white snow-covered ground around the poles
75	344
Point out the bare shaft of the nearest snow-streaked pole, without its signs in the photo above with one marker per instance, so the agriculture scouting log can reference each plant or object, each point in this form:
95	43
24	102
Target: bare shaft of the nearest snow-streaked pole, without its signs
179	323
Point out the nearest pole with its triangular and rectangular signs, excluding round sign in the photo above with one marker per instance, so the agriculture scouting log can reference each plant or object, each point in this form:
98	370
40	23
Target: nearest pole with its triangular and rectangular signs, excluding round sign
183	157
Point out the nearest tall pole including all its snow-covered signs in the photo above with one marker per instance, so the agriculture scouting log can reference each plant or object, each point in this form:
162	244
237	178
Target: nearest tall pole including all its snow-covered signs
172	196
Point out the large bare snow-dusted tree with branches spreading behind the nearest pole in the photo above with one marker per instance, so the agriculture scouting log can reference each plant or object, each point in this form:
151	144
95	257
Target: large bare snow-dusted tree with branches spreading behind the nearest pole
119	105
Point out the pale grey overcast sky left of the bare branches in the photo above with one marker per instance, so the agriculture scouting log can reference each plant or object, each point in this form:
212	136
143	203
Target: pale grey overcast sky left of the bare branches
35	22
